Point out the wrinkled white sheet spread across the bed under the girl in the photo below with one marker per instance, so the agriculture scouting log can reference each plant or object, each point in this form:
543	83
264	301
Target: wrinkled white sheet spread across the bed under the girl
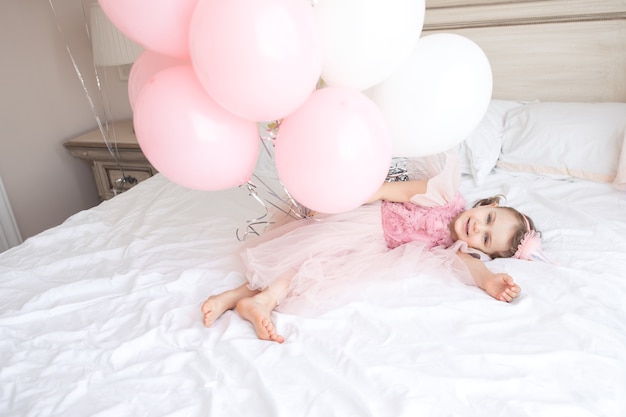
101	317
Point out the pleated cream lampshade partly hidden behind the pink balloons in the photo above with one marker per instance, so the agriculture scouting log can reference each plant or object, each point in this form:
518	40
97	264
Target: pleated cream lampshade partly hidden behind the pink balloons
110	46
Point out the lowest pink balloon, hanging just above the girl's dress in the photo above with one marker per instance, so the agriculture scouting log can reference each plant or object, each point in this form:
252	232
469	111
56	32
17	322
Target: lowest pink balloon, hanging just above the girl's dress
334	152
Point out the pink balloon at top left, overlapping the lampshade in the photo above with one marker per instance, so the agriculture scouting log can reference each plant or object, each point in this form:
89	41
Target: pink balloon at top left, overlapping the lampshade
159	25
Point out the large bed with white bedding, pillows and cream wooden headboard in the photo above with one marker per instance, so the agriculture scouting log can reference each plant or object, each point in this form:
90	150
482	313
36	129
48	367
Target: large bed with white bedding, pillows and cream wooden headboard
100	316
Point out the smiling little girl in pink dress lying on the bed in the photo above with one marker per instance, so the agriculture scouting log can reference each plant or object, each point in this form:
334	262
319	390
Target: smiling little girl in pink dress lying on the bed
406	224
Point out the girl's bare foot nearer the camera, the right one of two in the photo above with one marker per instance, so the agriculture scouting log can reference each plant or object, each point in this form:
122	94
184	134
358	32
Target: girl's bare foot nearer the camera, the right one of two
257	310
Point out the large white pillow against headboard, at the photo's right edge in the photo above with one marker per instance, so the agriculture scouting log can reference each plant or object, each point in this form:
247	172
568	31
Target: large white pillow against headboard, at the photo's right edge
564	140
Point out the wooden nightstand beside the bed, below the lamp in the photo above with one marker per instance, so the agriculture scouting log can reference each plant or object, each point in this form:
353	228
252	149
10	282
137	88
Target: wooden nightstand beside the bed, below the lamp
113	175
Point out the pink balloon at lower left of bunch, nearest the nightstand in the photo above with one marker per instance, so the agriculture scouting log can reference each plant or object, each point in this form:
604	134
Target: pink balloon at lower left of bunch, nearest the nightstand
189	138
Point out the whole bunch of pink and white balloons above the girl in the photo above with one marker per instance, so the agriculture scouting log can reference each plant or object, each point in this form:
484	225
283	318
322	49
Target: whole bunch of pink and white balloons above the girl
213	70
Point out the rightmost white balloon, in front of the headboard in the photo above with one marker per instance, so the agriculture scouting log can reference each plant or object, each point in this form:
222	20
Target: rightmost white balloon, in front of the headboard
437	97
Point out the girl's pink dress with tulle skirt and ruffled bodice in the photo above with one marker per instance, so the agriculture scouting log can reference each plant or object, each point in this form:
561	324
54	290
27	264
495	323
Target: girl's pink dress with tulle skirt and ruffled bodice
373	242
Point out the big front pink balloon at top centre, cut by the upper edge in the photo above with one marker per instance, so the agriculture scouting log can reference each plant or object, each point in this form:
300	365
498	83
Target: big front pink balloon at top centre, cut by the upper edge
260	60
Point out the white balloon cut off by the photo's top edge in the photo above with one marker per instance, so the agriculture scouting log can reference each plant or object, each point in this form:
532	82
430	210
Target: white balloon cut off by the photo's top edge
365	41
